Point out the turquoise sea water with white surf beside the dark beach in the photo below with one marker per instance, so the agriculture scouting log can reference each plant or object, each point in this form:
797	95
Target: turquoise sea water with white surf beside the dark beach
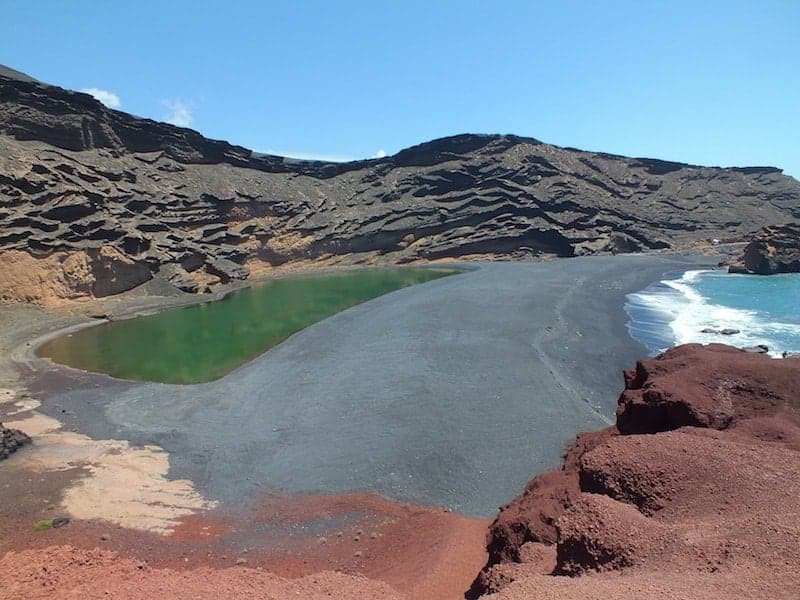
765	310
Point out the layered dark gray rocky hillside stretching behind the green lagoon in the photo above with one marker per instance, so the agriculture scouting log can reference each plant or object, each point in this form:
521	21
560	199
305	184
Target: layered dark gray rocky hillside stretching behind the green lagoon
94	201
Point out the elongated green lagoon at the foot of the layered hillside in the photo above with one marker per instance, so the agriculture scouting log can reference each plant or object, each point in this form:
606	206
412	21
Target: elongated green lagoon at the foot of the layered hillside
204	342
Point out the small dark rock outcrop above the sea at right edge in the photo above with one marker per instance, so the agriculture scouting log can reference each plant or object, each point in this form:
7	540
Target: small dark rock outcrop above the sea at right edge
773	250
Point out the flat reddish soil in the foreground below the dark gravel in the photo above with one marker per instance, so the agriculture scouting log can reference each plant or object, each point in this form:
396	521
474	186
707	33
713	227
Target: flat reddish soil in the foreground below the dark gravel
346	546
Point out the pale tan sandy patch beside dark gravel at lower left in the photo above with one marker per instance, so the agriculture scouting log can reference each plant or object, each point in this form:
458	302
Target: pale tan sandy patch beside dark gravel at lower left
124	484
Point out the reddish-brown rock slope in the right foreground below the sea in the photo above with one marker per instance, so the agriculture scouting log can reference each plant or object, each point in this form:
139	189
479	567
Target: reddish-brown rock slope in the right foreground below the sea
694	493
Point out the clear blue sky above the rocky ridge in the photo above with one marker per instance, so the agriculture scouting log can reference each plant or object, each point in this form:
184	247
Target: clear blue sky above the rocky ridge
714	83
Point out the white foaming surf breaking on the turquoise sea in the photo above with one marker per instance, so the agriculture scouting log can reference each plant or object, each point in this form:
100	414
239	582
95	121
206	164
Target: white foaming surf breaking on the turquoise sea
677	310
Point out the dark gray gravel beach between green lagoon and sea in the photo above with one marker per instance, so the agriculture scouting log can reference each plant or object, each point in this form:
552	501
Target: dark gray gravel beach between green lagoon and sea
454	393
